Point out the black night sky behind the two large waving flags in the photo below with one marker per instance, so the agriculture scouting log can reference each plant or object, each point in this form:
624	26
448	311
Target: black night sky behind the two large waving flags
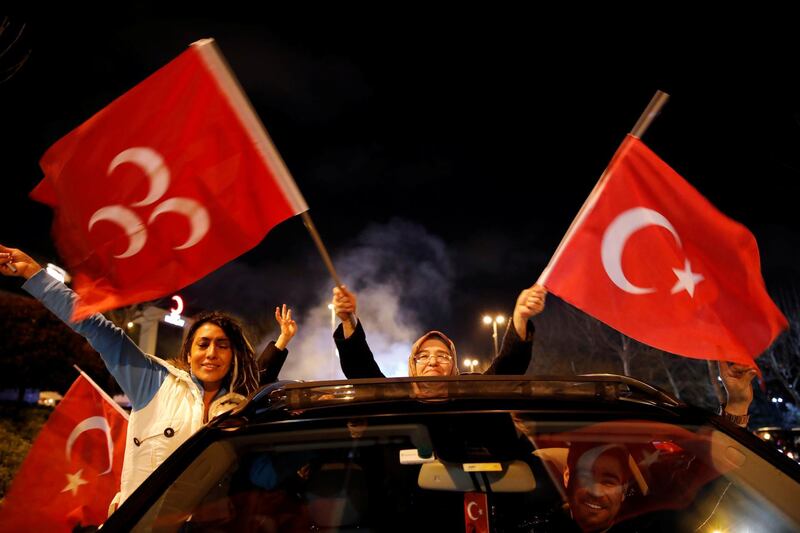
453	155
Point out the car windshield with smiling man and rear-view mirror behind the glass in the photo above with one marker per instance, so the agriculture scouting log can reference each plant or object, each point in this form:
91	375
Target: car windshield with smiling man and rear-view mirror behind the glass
474	470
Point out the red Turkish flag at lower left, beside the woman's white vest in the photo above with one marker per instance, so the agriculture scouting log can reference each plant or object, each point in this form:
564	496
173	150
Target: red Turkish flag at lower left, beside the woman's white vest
72	471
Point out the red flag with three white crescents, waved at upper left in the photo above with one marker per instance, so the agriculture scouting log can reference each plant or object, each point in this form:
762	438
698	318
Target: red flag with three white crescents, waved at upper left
168	182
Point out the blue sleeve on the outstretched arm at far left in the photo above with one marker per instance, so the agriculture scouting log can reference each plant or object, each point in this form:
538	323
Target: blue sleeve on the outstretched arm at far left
138	376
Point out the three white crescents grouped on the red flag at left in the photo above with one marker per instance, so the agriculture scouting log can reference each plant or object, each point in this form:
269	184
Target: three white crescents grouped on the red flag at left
153	165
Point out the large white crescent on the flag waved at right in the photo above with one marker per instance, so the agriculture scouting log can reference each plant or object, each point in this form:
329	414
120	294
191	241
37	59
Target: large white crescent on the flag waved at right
618	233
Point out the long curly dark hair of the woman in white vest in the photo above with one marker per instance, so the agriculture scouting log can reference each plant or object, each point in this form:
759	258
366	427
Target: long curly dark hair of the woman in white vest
243	375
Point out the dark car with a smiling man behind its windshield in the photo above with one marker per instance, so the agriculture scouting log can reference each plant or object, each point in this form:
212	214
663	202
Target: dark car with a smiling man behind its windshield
468	453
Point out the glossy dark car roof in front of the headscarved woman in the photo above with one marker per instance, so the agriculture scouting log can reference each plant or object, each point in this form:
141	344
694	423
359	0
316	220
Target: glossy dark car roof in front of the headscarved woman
298	399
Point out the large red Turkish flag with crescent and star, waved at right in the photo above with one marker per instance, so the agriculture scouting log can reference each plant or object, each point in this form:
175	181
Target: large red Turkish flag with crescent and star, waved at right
652	258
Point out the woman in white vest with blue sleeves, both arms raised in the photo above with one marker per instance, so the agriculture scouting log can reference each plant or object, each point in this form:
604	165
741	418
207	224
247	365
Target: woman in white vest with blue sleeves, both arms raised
170	399
